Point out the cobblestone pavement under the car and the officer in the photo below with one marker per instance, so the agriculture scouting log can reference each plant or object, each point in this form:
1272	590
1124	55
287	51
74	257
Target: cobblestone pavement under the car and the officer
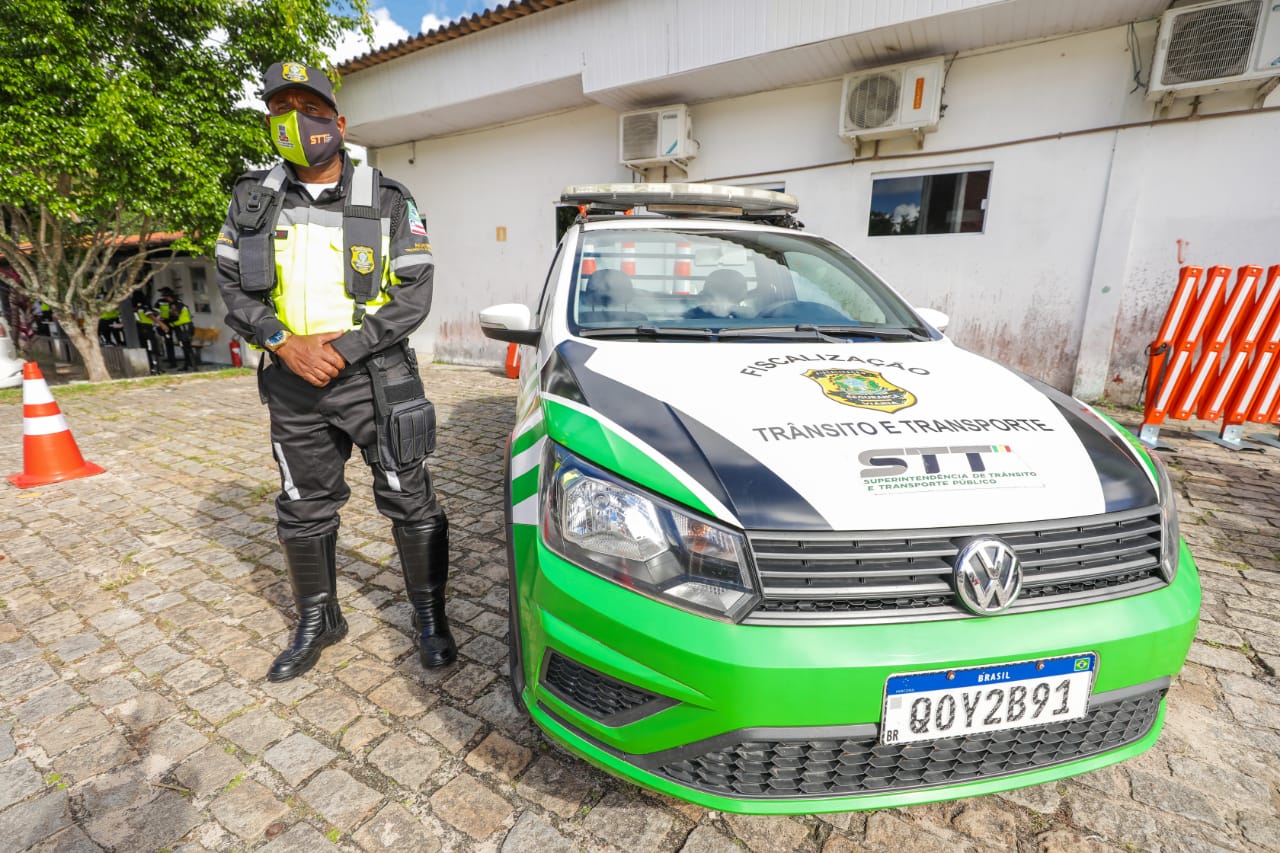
140	610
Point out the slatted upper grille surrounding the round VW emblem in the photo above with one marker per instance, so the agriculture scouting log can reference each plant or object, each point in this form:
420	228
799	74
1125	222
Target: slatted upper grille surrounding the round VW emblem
907	576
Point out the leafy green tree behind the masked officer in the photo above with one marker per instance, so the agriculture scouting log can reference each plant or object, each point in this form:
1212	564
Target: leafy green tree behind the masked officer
122	120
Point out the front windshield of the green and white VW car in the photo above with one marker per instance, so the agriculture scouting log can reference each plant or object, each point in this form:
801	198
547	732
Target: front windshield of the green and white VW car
726	281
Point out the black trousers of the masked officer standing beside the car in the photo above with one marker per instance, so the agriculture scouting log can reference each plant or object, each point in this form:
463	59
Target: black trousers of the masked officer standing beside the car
313	434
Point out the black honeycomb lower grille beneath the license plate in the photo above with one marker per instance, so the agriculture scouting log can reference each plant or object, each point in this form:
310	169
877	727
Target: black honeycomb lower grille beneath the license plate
862	765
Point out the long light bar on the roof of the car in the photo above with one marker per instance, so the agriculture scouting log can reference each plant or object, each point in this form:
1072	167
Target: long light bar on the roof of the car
670	197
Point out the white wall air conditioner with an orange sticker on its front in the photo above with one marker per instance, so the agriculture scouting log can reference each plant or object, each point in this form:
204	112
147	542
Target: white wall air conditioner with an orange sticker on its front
893	101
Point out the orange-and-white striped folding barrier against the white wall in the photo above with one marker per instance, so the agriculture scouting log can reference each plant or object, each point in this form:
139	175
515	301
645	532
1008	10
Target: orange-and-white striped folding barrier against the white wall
1218	355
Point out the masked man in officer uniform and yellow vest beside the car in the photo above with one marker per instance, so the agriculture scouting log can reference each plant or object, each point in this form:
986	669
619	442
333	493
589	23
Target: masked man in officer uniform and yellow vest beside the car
354	280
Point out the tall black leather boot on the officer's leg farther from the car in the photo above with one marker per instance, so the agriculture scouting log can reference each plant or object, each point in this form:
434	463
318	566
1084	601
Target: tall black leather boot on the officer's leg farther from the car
313	574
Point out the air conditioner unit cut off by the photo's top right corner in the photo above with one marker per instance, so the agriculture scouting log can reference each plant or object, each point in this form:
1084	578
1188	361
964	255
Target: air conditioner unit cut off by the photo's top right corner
1210	47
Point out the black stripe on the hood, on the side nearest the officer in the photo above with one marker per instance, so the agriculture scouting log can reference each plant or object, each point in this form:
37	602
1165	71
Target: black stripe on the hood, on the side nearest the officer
752	491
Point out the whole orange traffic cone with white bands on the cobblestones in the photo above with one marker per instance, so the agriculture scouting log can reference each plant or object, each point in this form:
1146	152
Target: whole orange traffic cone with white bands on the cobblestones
48	449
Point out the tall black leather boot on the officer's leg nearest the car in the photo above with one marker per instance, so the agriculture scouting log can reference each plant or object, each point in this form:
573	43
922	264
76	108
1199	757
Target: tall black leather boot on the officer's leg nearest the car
424	551
